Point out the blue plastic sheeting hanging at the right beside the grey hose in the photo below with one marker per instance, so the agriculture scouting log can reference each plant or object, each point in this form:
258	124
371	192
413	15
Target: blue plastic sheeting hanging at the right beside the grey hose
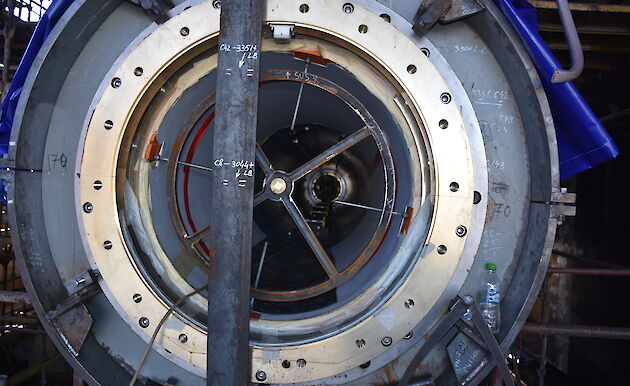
583	142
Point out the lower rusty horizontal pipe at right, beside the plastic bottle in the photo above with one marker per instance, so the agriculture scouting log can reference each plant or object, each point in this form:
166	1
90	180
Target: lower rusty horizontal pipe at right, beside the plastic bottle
577	331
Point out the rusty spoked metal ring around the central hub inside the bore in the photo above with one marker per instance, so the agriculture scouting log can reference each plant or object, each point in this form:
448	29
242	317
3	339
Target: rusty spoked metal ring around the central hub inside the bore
371	129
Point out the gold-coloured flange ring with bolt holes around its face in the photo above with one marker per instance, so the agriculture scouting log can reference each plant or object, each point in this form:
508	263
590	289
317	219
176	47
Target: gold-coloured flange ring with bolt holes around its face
440	127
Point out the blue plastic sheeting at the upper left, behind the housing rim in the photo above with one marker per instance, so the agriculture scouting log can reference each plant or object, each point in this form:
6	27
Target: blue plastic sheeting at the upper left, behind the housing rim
45	25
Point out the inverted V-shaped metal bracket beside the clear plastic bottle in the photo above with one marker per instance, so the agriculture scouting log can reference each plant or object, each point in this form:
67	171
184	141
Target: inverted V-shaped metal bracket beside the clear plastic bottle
466	309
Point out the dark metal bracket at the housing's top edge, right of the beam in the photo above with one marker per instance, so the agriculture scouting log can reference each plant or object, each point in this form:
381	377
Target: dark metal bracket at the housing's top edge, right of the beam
443	11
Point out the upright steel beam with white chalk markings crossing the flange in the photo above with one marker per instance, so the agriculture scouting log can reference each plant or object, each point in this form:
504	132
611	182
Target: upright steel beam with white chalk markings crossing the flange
232	192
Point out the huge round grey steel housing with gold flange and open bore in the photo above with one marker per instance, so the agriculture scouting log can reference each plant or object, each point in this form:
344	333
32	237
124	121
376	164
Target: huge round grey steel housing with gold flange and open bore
447	138
